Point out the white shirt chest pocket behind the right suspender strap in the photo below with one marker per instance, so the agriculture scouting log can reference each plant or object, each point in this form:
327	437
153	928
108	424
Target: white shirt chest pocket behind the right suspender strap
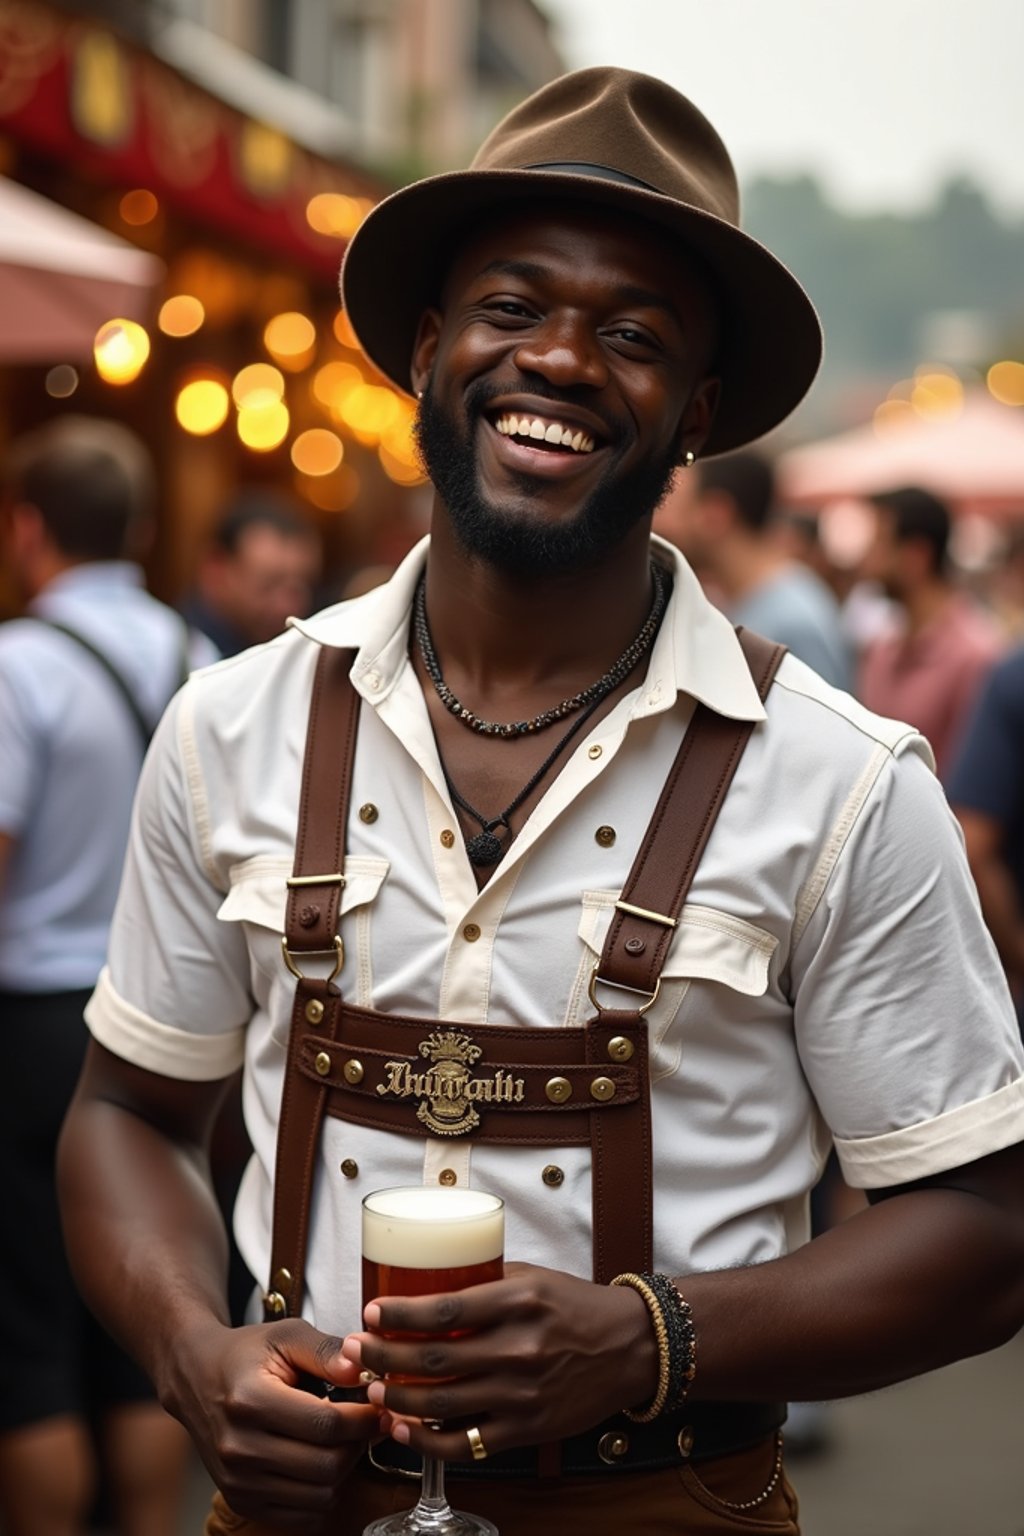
709	945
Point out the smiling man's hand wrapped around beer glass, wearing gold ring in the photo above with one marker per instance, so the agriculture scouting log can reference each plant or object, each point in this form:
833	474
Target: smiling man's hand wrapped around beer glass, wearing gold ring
538	1356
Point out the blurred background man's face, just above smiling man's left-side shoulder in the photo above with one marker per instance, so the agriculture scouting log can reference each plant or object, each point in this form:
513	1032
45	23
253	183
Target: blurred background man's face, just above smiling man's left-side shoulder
265	581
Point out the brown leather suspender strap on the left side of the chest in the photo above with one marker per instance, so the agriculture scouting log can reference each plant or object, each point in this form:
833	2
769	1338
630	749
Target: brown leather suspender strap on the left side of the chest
312	933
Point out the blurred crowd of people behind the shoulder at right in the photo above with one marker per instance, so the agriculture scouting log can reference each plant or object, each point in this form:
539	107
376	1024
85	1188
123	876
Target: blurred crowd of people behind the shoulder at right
874	597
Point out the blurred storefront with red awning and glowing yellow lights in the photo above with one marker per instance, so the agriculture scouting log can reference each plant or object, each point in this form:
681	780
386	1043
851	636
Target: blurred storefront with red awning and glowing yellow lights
246	185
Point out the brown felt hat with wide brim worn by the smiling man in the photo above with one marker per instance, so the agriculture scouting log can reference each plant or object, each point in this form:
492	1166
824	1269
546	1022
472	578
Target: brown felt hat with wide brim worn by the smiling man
624	142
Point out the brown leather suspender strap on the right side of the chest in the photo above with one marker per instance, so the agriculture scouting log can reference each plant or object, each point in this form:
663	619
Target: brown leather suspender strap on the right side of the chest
633	956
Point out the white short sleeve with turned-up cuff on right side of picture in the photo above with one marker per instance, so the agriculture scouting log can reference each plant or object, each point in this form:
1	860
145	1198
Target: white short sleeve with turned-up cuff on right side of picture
903	1018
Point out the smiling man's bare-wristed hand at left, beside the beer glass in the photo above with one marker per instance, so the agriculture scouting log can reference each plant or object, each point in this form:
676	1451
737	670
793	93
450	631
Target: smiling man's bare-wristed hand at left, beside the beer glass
279	1454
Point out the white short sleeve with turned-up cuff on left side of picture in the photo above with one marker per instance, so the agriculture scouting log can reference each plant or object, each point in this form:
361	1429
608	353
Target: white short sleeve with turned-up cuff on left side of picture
174	996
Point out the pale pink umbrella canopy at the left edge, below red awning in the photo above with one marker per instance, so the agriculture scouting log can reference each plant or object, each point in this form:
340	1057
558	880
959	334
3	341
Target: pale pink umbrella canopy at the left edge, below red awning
62	277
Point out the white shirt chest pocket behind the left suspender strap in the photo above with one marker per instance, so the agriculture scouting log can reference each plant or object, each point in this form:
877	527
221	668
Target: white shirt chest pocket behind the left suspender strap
257	901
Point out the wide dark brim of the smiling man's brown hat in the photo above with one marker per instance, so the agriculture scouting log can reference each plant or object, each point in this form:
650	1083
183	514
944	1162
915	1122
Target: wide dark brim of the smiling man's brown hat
771	346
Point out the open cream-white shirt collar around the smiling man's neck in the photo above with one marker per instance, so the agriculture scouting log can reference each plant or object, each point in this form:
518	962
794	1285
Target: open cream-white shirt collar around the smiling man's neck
696	650
